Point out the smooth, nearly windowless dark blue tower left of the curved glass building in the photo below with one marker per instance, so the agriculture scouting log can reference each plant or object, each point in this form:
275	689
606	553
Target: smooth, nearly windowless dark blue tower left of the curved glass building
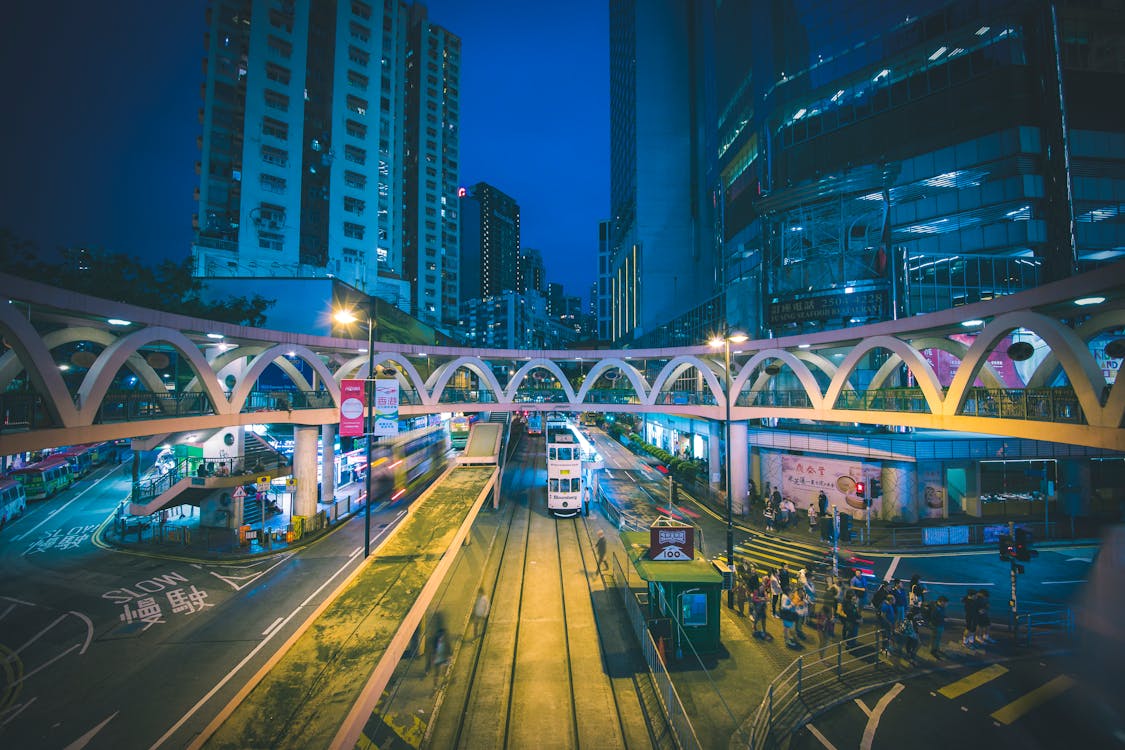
663	227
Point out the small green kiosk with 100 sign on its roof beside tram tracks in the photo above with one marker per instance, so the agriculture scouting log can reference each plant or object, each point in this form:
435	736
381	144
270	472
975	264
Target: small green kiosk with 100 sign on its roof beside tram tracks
685	591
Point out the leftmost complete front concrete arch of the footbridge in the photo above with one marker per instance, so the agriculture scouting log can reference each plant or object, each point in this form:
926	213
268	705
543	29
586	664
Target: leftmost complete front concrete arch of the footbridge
105	369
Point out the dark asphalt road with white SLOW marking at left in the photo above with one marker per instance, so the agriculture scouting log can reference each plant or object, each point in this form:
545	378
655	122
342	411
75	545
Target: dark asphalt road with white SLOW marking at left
109	649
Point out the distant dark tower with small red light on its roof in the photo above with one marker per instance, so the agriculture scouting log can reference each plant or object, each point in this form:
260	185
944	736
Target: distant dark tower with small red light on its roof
491	236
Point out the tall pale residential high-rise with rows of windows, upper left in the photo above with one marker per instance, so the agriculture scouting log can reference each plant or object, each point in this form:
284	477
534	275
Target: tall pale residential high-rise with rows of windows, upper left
330	148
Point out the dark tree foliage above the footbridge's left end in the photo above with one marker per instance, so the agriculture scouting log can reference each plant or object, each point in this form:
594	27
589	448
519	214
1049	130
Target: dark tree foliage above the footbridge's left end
168	286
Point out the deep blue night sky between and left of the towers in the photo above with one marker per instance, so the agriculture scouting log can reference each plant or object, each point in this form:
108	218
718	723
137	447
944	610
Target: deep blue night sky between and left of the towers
102	116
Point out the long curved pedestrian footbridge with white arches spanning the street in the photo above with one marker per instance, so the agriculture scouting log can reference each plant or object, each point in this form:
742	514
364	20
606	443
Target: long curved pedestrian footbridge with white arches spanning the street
1032	365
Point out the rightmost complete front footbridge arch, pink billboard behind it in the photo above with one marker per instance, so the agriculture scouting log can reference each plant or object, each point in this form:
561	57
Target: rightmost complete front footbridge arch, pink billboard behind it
1083	372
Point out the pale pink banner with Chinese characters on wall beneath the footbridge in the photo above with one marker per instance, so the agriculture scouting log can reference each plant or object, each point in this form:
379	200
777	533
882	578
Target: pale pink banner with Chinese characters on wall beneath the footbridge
804	477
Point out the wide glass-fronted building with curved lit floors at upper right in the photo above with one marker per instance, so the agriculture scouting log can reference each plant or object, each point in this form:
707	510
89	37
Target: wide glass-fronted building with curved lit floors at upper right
878	166
